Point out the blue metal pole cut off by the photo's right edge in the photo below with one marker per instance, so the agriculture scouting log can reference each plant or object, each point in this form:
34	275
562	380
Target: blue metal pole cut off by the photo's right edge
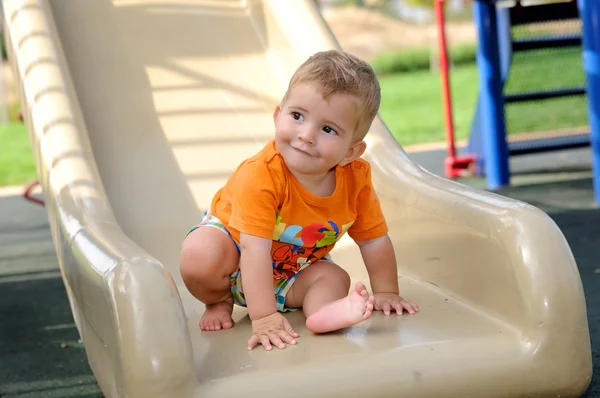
589	12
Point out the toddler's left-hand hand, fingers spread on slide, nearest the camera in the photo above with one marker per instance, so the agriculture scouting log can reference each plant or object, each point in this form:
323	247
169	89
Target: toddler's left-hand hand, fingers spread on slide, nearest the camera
272	329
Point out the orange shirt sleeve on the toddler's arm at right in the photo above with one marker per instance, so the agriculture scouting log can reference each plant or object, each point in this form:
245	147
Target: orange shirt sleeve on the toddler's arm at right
370	222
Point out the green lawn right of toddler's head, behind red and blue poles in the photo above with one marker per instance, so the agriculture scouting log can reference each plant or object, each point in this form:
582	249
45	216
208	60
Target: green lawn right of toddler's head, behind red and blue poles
412	103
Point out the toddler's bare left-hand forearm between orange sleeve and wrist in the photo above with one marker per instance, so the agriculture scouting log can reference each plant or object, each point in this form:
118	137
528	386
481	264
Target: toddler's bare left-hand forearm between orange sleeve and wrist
257	276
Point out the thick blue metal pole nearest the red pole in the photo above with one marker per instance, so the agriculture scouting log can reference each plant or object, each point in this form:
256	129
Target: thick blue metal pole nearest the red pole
495	147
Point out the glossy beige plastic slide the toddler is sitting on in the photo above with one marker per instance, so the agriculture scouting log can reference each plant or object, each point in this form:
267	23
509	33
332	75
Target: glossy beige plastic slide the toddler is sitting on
138	110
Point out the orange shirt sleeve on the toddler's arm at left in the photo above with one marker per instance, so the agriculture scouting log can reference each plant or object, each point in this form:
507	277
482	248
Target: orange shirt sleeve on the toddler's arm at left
256	199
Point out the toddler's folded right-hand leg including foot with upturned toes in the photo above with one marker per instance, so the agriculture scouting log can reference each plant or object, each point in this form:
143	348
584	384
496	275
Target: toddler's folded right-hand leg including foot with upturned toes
322	291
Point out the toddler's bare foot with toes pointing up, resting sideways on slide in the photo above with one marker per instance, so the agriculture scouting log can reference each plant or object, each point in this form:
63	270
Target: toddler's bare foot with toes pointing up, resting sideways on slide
350	310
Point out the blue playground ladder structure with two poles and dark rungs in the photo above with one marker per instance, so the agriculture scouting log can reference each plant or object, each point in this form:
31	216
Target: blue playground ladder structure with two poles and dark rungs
488	138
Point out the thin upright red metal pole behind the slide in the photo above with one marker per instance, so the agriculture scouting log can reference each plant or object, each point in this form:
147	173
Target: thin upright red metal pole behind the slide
446	97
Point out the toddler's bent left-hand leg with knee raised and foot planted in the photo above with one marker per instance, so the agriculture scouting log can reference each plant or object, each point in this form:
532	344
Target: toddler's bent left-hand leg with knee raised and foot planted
208	257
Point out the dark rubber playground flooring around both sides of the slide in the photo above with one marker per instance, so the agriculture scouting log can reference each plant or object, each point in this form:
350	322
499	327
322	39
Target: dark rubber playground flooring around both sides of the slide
40	352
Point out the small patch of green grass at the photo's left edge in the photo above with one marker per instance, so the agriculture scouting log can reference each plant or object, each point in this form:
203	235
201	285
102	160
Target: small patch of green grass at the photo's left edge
16	160
